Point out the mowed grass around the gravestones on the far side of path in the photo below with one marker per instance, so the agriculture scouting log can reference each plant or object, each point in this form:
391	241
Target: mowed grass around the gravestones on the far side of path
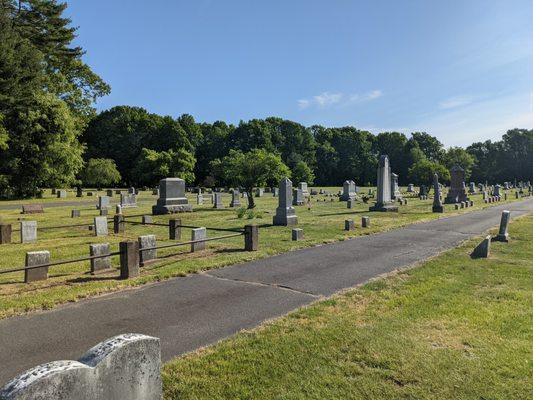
322	223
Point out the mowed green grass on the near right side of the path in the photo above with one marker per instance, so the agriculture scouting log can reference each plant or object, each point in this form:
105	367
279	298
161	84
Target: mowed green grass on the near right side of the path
452	328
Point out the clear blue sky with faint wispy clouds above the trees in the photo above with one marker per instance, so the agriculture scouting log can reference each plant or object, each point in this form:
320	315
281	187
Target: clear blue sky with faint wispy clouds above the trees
460	70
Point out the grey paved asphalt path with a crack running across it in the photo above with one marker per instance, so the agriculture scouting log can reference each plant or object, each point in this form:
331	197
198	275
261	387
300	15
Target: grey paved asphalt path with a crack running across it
198	310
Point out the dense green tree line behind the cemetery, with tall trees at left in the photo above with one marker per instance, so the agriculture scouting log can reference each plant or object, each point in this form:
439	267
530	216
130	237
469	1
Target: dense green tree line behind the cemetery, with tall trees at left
51	135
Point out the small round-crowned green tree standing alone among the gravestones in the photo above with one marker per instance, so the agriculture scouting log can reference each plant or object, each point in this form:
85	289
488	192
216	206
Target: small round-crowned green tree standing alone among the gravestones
257	167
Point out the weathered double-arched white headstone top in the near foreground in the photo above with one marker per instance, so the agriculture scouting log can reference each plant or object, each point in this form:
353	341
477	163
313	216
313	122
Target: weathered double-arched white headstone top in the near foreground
123	367
